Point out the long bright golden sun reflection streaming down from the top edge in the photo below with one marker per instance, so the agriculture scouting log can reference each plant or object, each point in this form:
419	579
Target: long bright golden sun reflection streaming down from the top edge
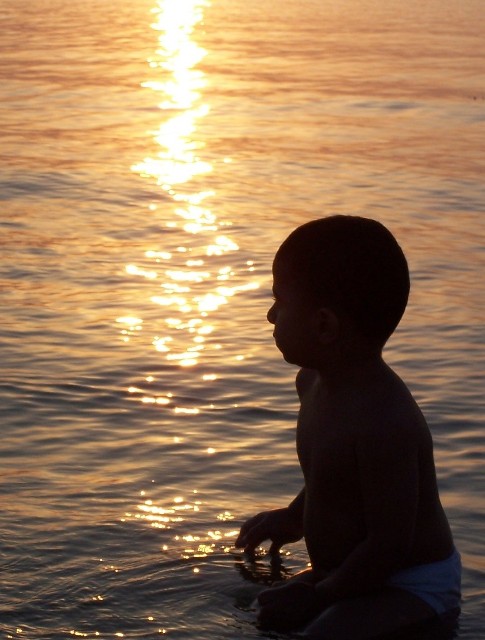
195	273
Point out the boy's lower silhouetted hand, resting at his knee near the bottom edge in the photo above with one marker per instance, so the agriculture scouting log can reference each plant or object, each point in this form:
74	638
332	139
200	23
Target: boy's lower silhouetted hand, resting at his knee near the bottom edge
288	606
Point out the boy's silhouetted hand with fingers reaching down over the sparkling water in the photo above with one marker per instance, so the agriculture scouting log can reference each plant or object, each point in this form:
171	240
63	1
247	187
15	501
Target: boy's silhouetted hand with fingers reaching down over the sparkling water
276	525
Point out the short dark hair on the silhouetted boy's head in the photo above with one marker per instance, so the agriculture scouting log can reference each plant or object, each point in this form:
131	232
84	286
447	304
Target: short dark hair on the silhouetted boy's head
354	265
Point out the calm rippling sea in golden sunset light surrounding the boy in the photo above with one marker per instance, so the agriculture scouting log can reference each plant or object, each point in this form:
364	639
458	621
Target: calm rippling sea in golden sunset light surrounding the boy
154	155
